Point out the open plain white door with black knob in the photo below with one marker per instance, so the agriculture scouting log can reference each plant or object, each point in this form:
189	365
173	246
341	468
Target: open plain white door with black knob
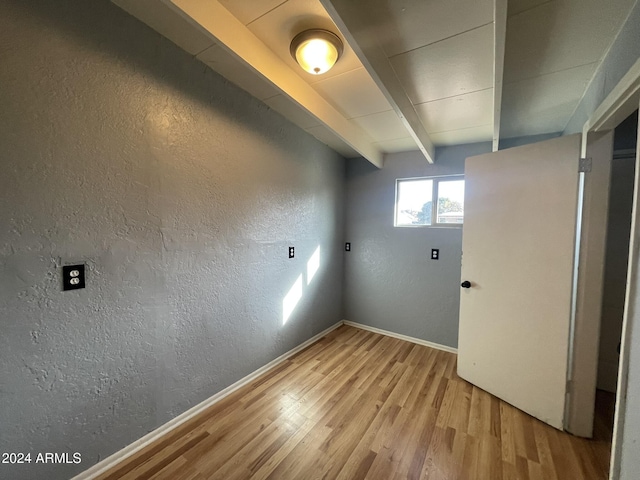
517	254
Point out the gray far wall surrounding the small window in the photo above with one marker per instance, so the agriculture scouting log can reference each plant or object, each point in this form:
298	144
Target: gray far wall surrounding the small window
390	281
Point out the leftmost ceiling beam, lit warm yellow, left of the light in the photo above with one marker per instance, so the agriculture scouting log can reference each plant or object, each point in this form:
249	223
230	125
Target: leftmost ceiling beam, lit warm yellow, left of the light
230	33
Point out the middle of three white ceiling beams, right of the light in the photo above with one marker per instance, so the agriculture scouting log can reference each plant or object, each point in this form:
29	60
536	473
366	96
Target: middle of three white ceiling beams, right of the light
352	23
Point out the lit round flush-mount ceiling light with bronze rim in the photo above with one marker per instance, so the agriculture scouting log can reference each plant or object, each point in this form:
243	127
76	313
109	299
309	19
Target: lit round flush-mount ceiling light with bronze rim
316	51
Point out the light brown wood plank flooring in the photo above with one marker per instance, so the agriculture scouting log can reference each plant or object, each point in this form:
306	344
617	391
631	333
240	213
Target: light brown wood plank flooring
358	405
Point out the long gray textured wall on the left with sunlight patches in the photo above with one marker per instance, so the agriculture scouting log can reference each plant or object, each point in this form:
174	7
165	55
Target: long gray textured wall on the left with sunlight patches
181	193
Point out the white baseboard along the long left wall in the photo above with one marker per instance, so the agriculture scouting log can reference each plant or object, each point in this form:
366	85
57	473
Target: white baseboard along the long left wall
111	461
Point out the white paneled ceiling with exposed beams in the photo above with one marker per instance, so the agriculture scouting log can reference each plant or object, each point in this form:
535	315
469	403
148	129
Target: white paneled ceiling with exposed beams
414	74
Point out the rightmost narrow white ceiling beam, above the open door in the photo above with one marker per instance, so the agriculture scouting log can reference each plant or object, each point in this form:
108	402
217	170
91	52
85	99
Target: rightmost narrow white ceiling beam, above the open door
499	41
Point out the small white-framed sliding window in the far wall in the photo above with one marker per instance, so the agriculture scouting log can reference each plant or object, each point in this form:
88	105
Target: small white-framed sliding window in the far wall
415	206
